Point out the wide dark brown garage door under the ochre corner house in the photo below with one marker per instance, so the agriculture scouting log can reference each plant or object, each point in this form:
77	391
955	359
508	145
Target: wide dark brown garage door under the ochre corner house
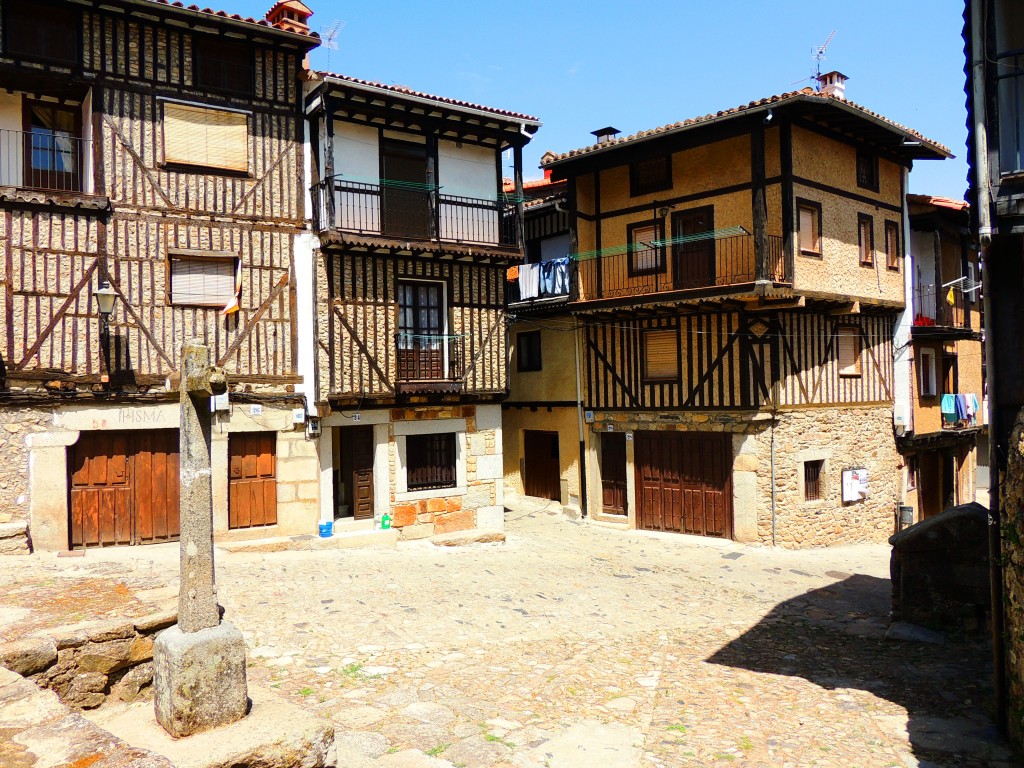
684	483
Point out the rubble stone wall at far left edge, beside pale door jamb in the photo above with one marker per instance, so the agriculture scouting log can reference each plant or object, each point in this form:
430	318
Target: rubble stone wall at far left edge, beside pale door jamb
18	424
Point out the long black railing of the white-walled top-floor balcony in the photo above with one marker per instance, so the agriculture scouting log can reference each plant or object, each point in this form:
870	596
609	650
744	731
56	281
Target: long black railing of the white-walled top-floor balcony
400	210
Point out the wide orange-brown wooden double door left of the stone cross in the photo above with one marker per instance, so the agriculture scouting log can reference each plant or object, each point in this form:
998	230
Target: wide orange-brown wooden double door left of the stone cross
124	488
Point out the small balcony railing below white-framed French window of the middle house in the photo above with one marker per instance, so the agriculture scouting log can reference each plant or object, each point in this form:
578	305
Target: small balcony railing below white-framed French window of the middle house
430	363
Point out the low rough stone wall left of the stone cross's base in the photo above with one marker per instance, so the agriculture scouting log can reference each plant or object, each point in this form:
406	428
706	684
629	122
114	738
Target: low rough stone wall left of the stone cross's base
84	664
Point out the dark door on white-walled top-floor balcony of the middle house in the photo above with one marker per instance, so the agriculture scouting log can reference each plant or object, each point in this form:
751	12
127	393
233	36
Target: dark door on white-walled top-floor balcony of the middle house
405	193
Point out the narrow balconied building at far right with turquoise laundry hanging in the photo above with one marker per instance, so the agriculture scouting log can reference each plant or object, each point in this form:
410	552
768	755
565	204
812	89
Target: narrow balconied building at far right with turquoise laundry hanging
942	416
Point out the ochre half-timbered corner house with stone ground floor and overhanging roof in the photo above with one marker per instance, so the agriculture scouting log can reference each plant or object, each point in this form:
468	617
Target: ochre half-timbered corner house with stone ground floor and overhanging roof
736	281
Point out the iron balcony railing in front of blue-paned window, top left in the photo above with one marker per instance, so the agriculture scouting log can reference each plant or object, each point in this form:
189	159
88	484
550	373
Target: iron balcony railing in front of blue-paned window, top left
42	160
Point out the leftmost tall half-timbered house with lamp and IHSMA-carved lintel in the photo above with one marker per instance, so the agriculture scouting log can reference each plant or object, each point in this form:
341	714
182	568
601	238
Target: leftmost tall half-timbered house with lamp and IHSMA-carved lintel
151	169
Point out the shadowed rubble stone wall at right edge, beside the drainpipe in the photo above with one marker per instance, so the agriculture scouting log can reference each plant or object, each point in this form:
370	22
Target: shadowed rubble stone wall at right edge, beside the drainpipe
1012	514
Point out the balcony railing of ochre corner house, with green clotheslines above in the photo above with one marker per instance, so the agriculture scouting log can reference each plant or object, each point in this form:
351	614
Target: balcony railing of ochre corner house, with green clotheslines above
668	267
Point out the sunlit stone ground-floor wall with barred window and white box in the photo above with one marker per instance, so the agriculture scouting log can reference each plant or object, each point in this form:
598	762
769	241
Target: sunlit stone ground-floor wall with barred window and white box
843	439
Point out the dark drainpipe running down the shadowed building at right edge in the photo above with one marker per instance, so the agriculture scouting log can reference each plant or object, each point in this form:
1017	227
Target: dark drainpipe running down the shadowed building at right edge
984	203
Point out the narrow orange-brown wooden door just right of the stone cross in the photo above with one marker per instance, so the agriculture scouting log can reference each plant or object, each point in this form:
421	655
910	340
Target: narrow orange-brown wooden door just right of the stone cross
252	493
